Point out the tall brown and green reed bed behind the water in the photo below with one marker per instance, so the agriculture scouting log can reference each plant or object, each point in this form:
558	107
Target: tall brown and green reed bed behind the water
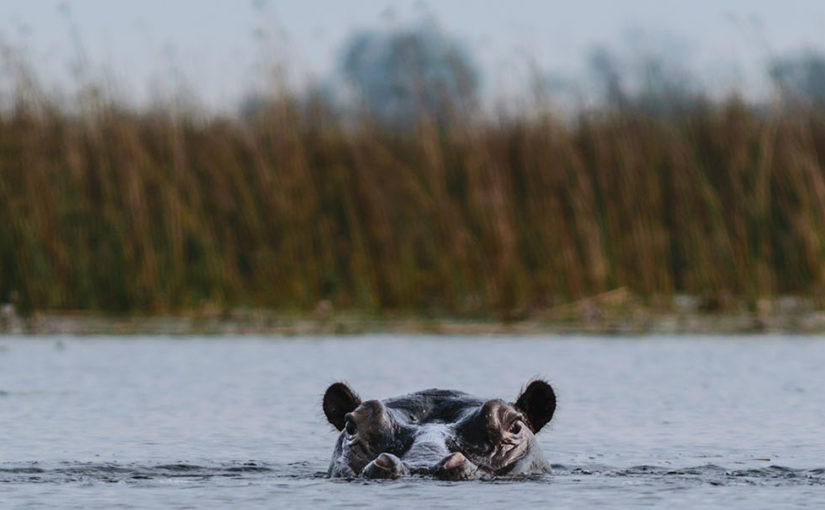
120	210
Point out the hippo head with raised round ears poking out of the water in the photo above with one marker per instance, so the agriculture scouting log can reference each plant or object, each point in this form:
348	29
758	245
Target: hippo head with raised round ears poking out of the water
447	434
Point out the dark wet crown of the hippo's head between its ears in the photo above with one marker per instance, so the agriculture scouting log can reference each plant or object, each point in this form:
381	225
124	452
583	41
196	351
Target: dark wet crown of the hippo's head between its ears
433	406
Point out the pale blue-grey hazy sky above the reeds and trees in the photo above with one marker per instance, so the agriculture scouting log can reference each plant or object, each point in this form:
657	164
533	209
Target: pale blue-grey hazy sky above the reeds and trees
220	50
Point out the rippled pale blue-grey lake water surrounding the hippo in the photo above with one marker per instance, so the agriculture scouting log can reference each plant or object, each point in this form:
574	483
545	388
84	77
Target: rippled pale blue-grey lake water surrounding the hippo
219	422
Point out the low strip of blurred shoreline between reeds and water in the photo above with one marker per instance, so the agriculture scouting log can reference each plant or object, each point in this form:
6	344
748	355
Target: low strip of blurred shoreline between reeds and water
613	313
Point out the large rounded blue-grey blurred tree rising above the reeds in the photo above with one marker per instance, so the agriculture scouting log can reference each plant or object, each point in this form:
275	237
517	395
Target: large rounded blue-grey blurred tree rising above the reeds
398	75
